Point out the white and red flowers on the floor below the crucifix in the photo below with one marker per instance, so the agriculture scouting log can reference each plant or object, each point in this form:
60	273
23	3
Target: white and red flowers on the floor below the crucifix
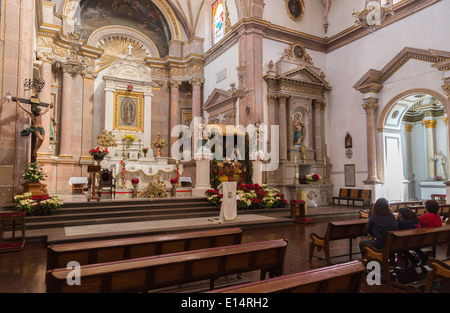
37	205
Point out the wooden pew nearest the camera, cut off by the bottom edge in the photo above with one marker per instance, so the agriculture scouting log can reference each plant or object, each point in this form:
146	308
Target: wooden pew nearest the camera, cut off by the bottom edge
342	278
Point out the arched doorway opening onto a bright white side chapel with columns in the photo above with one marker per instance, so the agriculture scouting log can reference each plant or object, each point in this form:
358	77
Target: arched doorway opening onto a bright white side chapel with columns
415	145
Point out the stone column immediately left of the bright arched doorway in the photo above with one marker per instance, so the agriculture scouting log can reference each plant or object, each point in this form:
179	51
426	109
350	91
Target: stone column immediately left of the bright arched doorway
370	105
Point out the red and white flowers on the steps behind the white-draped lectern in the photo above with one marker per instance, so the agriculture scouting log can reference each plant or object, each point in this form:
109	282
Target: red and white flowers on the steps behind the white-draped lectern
251	196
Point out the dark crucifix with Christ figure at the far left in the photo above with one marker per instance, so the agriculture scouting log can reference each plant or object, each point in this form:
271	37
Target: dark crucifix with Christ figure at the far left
36	128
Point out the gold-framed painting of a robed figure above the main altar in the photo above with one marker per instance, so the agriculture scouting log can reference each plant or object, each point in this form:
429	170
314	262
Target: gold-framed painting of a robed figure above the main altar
128	111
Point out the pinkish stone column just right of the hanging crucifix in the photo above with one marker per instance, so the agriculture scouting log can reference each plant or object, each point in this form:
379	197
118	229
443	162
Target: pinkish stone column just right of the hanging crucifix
66	116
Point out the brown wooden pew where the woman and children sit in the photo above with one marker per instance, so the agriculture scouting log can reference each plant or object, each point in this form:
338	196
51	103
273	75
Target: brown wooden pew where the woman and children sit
403	240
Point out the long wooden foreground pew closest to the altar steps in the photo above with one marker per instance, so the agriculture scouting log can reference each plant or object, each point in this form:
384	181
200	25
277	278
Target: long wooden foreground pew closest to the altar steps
136	247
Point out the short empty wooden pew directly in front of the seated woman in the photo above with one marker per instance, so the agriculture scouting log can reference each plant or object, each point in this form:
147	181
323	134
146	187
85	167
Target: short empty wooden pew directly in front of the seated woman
337	230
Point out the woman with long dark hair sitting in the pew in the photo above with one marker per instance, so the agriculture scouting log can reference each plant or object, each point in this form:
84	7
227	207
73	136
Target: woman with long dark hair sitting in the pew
381	221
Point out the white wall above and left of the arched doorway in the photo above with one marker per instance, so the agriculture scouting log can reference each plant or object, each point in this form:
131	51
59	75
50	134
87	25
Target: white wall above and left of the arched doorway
345	66
